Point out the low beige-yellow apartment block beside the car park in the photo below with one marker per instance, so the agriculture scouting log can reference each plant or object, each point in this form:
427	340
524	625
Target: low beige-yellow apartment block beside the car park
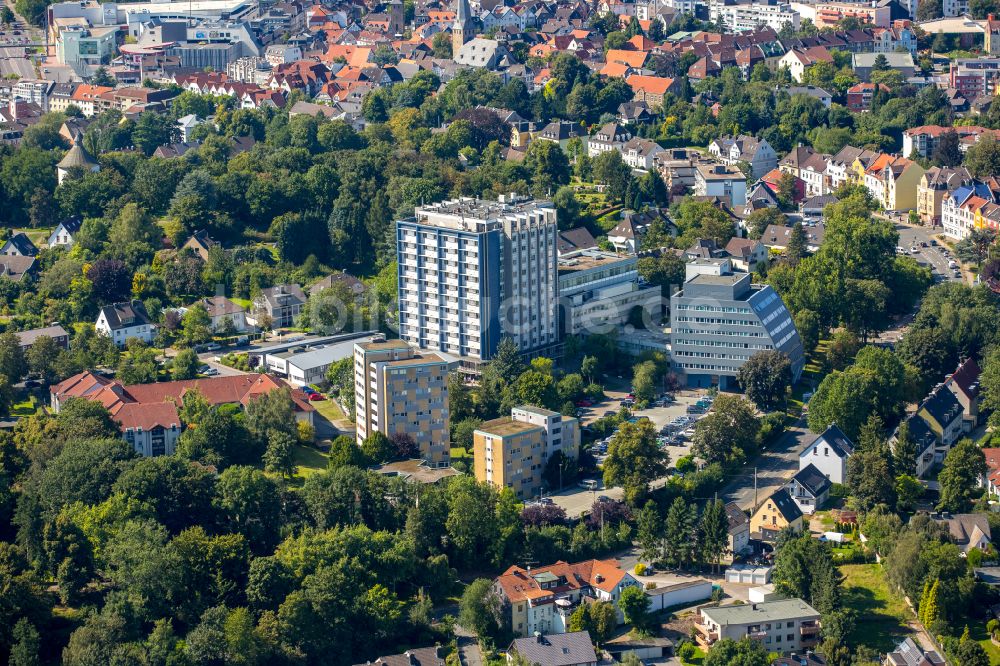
511	452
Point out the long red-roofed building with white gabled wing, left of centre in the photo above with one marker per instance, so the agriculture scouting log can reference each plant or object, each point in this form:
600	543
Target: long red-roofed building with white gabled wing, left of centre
147	413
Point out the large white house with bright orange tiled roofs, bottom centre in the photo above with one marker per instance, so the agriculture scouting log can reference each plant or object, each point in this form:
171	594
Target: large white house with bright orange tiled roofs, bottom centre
528	596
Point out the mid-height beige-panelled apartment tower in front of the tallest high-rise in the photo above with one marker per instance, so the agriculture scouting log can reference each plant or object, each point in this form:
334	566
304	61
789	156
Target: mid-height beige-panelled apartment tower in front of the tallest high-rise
398	389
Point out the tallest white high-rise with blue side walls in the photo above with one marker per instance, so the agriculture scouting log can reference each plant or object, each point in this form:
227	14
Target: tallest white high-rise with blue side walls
473	271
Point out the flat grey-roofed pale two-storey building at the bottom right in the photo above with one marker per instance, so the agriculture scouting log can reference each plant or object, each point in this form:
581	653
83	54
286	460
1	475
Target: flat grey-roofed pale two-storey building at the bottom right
782	626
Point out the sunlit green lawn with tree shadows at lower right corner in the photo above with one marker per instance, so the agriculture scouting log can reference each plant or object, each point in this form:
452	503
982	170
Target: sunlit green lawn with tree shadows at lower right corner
882	615
